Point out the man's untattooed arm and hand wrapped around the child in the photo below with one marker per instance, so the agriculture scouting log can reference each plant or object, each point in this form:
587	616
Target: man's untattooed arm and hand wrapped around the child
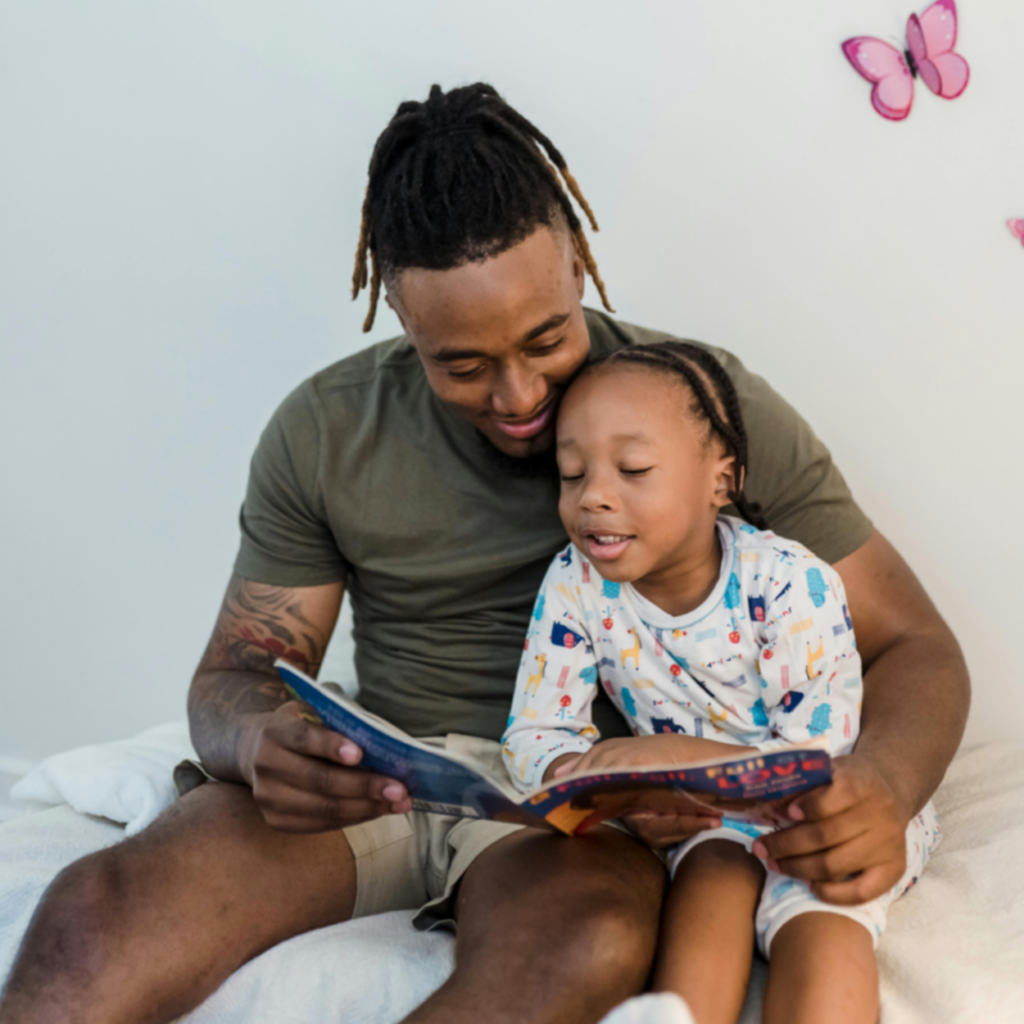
917	696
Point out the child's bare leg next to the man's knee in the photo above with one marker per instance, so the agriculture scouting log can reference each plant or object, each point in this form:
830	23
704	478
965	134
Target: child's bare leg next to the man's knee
707	940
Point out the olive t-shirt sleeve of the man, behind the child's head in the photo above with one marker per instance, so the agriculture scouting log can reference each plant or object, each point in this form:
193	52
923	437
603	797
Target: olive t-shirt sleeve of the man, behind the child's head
792	475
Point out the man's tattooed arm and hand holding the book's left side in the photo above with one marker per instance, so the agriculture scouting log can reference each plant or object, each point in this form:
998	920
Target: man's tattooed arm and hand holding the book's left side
246	729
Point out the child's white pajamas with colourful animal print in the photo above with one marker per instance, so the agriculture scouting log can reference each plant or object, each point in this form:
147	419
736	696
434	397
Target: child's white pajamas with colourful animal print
767	661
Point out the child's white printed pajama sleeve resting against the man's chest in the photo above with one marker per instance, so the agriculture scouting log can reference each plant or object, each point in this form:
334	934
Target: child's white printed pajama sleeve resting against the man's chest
557	685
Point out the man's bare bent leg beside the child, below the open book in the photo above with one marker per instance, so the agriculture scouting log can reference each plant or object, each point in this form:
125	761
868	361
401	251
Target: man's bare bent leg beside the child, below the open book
551	930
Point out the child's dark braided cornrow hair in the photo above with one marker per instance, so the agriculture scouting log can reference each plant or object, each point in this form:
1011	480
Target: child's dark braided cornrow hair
714	401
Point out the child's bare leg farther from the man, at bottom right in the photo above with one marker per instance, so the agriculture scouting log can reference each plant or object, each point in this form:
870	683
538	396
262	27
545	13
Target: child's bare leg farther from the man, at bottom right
823	971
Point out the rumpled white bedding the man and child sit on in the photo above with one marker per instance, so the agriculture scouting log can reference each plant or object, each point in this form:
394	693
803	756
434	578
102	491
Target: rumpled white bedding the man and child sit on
954	953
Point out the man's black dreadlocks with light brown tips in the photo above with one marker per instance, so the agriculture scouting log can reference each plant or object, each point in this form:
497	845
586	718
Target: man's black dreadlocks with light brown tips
460	179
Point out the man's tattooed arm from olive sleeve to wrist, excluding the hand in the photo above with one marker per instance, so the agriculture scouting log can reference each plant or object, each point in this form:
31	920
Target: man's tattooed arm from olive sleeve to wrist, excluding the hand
236	679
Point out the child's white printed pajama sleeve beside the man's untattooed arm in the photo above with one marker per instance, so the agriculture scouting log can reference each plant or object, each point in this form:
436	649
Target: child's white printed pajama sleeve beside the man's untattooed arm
809	666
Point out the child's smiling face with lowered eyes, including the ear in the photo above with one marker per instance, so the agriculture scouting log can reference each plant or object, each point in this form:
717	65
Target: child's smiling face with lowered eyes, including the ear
641	485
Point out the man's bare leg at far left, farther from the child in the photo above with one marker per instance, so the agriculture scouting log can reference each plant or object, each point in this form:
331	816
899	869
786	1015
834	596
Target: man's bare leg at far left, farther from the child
147	930
